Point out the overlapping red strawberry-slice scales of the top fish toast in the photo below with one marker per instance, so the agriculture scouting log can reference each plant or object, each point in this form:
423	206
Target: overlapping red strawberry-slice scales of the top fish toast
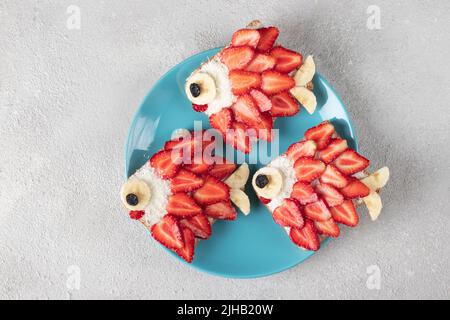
261	74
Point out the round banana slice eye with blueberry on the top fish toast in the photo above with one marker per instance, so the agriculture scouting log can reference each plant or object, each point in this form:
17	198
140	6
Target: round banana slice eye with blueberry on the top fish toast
200	88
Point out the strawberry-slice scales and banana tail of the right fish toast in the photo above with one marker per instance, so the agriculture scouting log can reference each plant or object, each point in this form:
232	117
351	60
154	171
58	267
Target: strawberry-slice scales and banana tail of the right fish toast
327	189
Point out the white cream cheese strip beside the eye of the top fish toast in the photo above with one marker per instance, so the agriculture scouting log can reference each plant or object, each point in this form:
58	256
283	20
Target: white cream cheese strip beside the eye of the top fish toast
224	96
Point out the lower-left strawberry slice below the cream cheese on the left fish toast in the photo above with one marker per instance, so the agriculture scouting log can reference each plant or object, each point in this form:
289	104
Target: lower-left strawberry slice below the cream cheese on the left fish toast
168	232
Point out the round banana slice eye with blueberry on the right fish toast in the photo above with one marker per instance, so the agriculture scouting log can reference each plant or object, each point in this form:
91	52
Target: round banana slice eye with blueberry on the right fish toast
267	182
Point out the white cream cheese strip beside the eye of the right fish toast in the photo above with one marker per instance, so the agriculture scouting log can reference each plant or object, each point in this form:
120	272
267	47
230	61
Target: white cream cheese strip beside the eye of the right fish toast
286	167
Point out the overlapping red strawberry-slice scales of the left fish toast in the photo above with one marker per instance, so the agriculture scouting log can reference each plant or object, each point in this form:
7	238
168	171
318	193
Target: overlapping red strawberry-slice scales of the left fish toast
199	195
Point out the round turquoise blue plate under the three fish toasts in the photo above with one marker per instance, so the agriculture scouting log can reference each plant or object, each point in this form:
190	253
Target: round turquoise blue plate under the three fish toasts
253	245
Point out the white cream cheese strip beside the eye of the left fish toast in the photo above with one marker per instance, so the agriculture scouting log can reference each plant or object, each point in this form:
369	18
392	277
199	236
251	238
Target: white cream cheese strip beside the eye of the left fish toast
160	193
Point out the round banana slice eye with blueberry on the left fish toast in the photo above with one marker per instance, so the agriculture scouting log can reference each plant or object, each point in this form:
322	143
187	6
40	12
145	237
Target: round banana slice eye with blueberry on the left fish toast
135	194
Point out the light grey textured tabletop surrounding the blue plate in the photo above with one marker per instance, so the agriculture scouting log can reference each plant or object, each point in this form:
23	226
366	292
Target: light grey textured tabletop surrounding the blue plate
67	98
